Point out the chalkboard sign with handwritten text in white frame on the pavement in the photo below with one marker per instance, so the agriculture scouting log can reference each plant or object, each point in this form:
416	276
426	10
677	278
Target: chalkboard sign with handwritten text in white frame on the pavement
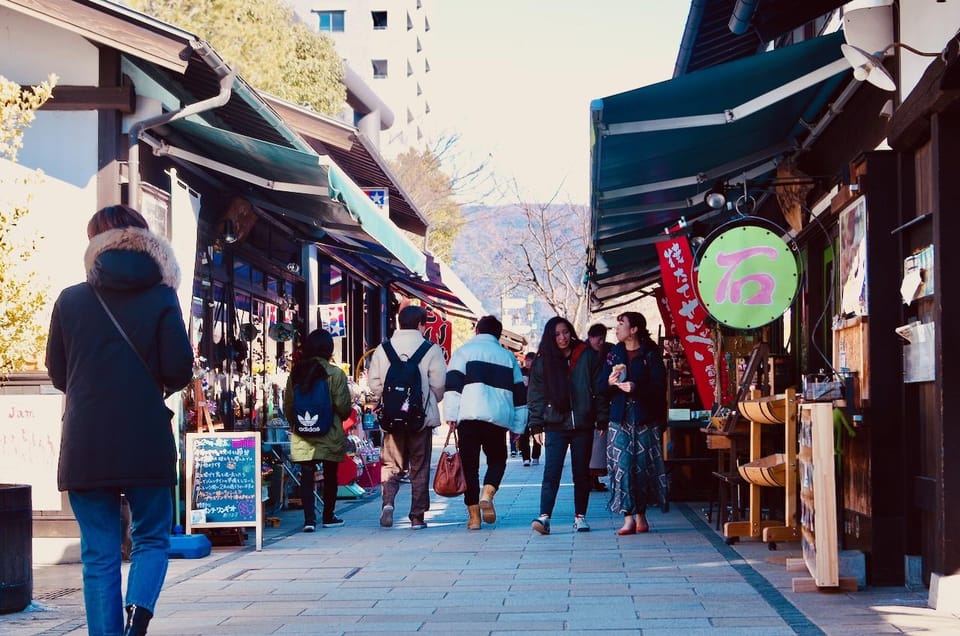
223	481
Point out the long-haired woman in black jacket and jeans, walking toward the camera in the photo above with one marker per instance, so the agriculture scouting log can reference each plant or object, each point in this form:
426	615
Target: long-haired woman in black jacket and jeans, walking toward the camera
565	402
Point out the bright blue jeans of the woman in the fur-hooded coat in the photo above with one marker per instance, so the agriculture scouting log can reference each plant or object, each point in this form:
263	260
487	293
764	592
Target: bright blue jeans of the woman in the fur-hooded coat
98	513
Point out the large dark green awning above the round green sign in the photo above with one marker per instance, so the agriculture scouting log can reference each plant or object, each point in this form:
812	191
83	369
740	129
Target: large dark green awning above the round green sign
657	150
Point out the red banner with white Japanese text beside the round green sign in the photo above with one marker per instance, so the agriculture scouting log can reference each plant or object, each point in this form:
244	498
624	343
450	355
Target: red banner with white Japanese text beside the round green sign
689	316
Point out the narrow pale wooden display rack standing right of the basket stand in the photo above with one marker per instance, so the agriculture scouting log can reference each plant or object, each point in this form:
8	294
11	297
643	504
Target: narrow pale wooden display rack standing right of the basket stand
818	507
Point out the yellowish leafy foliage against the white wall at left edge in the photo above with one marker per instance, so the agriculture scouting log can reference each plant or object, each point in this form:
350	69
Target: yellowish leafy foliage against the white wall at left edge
22	298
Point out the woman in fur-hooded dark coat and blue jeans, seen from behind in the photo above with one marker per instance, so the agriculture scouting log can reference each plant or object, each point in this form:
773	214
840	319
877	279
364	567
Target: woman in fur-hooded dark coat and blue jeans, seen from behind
117	436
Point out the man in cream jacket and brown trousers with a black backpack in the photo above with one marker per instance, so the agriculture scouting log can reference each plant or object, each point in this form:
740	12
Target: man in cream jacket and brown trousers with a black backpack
409	446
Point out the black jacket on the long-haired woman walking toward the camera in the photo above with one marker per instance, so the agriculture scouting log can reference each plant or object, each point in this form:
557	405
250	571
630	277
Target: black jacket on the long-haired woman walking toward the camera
589	404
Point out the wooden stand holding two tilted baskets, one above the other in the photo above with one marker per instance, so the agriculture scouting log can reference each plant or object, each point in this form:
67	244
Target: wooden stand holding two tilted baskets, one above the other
772	471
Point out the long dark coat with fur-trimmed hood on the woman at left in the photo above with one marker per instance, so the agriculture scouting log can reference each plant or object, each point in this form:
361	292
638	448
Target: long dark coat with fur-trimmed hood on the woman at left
116	428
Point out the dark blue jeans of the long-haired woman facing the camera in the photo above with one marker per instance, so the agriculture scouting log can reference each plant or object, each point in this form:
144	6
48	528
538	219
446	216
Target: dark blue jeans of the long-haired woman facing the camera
555	445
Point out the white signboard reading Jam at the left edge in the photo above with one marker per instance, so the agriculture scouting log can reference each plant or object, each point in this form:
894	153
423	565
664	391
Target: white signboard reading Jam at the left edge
30	445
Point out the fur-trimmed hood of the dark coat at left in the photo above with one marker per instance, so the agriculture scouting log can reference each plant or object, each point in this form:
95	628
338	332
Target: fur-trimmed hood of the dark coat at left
127	247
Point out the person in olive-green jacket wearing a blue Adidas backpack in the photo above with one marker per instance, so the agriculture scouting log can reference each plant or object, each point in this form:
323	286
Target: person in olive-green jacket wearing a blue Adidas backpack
311	366
